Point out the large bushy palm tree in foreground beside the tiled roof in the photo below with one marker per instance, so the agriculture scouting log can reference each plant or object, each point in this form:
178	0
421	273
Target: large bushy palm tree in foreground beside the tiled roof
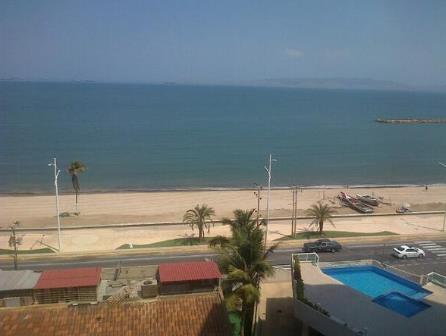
243	257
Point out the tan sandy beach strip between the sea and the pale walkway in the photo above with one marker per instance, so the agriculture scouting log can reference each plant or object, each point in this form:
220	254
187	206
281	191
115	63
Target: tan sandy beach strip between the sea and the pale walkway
169	206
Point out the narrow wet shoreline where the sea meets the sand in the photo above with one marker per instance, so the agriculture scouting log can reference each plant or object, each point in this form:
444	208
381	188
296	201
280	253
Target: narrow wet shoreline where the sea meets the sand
220	189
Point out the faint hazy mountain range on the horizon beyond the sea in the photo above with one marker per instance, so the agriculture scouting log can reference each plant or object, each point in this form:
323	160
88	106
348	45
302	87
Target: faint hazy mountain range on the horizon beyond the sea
342	83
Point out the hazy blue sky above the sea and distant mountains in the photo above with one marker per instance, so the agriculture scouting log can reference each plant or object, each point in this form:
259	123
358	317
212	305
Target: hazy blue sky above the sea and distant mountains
223	41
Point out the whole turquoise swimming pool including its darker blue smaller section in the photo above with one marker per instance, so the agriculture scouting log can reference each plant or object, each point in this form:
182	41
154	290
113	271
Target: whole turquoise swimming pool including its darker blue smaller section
385	288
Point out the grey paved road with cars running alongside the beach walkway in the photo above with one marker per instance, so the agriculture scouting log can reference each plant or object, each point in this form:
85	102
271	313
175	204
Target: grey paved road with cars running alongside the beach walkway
435	260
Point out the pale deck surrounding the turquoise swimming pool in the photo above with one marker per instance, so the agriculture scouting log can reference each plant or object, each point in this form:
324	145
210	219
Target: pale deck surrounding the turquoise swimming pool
359	312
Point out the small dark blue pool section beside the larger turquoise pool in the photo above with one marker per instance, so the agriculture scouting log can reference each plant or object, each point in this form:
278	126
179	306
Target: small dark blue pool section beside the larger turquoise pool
401	304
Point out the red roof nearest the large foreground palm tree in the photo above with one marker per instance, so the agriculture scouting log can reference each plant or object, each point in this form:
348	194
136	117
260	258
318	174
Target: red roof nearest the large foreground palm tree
188	271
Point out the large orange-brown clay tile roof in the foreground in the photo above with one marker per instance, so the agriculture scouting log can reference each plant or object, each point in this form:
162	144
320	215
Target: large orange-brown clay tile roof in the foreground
192	315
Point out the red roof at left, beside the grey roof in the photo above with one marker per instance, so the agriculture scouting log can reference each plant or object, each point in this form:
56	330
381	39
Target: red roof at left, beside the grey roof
68	278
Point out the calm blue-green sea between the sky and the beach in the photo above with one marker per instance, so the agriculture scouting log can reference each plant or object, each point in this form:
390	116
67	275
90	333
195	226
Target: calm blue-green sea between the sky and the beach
144	137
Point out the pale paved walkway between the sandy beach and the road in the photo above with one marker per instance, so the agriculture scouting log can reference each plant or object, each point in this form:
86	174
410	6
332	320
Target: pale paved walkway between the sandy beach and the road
109	239
